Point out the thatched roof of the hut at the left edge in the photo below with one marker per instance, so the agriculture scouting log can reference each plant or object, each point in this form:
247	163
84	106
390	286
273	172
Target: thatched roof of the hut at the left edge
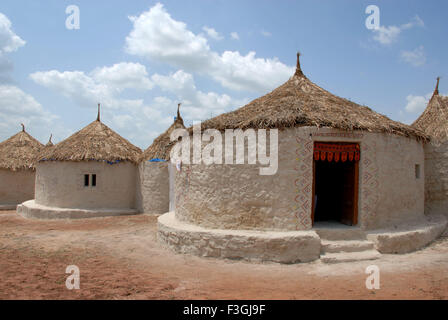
19	151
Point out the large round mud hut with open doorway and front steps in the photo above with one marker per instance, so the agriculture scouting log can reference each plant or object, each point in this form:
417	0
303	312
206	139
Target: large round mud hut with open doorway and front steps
340	172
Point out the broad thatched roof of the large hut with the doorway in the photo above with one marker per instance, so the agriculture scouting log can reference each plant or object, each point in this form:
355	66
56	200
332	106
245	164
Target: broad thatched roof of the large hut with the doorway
300	102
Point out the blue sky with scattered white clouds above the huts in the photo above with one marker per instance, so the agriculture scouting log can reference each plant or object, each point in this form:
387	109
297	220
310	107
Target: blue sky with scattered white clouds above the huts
140	58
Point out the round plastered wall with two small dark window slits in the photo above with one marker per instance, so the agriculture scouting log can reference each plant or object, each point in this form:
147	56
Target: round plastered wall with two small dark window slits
61	184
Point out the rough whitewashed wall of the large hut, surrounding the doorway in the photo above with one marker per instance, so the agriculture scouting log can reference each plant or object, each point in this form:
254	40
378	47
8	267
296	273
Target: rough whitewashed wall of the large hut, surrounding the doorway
237	197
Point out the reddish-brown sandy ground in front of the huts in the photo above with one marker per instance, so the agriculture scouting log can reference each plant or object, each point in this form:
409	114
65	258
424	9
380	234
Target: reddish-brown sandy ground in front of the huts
119	258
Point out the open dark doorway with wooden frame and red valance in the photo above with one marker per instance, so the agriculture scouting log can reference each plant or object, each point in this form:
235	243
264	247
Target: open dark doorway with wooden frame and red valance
335	185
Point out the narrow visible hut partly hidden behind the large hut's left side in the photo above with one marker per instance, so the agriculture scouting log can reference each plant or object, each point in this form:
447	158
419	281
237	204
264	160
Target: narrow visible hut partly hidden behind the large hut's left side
155	180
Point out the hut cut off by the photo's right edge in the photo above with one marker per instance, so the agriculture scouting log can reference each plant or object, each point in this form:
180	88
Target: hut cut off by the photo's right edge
434	122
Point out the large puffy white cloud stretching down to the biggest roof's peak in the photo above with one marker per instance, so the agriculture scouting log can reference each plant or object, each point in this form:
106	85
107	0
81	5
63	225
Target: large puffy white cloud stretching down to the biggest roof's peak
156	35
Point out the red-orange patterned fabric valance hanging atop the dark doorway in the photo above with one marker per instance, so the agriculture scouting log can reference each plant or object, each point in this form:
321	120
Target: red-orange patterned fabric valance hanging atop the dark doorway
337	152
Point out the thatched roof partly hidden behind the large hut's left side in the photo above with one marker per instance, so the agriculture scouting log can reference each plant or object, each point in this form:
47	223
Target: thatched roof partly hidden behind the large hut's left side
162	145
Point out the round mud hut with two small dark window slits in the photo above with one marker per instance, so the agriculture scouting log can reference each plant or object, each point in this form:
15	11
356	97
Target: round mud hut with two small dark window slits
92	173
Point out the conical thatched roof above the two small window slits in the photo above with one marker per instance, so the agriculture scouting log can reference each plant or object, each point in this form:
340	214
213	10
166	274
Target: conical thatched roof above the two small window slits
94	142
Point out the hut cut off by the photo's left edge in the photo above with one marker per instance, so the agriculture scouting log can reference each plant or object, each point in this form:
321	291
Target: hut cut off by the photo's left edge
17	169
